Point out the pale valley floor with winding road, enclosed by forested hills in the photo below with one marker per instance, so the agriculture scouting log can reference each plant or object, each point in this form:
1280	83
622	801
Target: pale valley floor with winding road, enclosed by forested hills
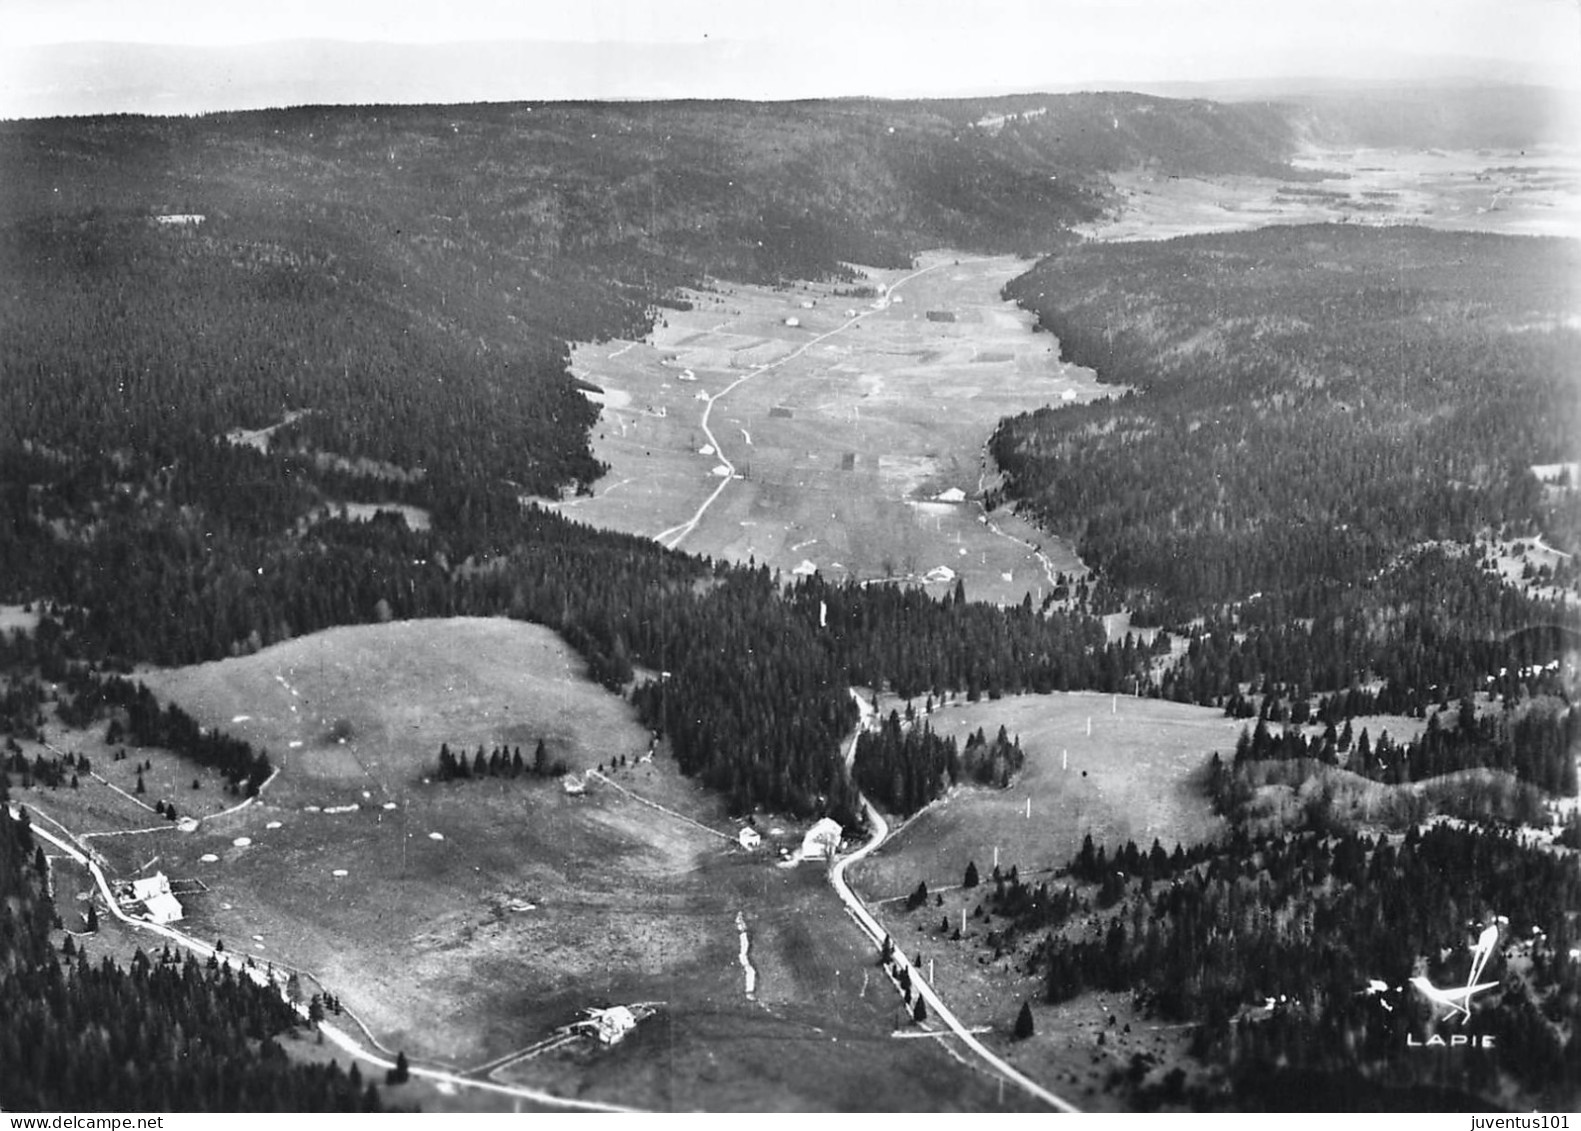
845	447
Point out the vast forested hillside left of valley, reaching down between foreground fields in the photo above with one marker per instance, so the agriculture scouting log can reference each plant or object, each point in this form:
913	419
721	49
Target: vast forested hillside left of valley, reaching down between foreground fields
383	297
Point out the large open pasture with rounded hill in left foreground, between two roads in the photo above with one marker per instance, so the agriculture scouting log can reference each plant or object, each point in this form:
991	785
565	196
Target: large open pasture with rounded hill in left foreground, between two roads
474	918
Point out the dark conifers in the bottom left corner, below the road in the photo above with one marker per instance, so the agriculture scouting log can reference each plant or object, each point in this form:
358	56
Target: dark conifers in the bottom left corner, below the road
162	1035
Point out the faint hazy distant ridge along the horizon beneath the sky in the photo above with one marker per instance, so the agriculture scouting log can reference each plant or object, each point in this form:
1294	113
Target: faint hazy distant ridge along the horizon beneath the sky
138	78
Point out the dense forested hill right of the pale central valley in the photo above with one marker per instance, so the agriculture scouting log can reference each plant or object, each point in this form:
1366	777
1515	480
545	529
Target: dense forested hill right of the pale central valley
1311	407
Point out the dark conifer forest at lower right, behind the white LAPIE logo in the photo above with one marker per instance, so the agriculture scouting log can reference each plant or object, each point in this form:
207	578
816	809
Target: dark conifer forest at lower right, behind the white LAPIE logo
1316	926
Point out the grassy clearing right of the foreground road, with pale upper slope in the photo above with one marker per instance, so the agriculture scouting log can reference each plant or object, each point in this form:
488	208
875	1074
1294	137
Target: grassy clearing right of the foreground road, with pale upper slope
1130	779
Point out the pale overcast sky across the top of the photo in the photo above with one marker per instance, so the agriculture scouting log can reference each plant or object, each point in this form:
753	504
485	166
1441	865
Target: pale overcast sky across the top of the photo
752	50
